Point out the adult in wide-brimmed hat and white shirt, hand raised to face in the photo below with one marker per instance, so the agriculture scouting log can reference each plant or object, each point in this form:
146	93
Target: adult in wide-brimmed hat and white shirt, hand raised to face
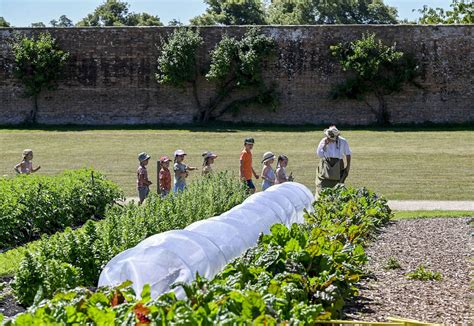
332	150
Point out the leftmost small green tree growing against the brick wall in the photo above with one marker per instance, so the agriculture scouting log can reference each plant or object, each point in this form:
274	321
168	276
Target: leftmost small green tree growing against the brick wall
39	64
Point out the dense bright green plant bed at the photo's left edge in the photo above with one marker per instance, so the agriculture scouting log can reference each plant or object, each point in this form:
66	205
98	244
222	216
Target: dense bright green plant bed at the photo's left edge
32	205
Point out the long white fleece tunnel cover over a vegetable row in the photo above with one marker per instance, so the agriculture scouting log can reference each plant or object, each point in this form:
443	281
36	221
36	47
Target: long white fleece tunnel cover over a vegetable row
206	246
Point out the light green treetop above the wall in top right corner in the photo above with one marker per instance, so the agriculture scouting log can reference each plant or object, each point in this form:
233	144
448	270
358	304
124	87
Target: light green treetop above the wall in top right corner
462	13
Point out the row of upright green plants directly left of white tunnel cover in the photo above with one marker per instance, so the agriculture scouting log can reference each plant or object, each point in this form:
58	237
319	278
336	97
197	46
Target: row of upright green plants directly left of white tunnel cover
76	257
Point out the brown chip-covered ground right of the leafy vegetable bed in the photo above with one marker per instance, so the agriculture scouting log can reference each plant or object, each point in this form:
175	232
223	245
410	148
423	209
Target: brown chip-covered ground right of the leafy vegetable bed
444	245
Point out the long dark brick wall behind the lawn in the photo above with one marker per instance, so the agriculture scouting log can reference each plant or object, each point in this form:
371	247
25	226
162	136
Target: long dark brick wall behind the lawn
109	78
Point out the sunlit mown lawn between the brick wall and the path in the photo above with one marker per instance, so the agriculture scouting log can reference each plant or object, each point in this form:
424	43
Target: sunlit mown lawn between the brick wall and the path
399	163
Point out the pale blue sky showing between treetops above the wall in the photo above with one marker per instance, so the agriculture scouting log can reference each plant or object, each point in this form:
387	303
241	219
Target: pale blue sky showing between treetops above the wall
22	13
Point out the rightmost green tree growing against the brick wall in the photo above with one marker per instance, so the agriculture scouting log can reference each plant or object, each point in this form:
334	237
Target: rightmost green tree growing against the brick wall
374	68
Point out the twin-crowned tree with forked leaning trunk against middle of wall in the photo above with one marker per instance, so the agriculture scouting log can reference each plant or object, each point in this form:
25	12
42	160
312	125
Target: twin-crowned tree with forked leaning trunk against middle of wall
235	65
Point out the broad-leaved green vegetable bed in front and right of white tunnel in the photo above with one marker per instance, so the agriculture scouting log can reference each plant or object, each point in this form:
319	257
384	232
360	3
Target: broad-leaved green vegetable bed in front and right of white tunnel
298	275
